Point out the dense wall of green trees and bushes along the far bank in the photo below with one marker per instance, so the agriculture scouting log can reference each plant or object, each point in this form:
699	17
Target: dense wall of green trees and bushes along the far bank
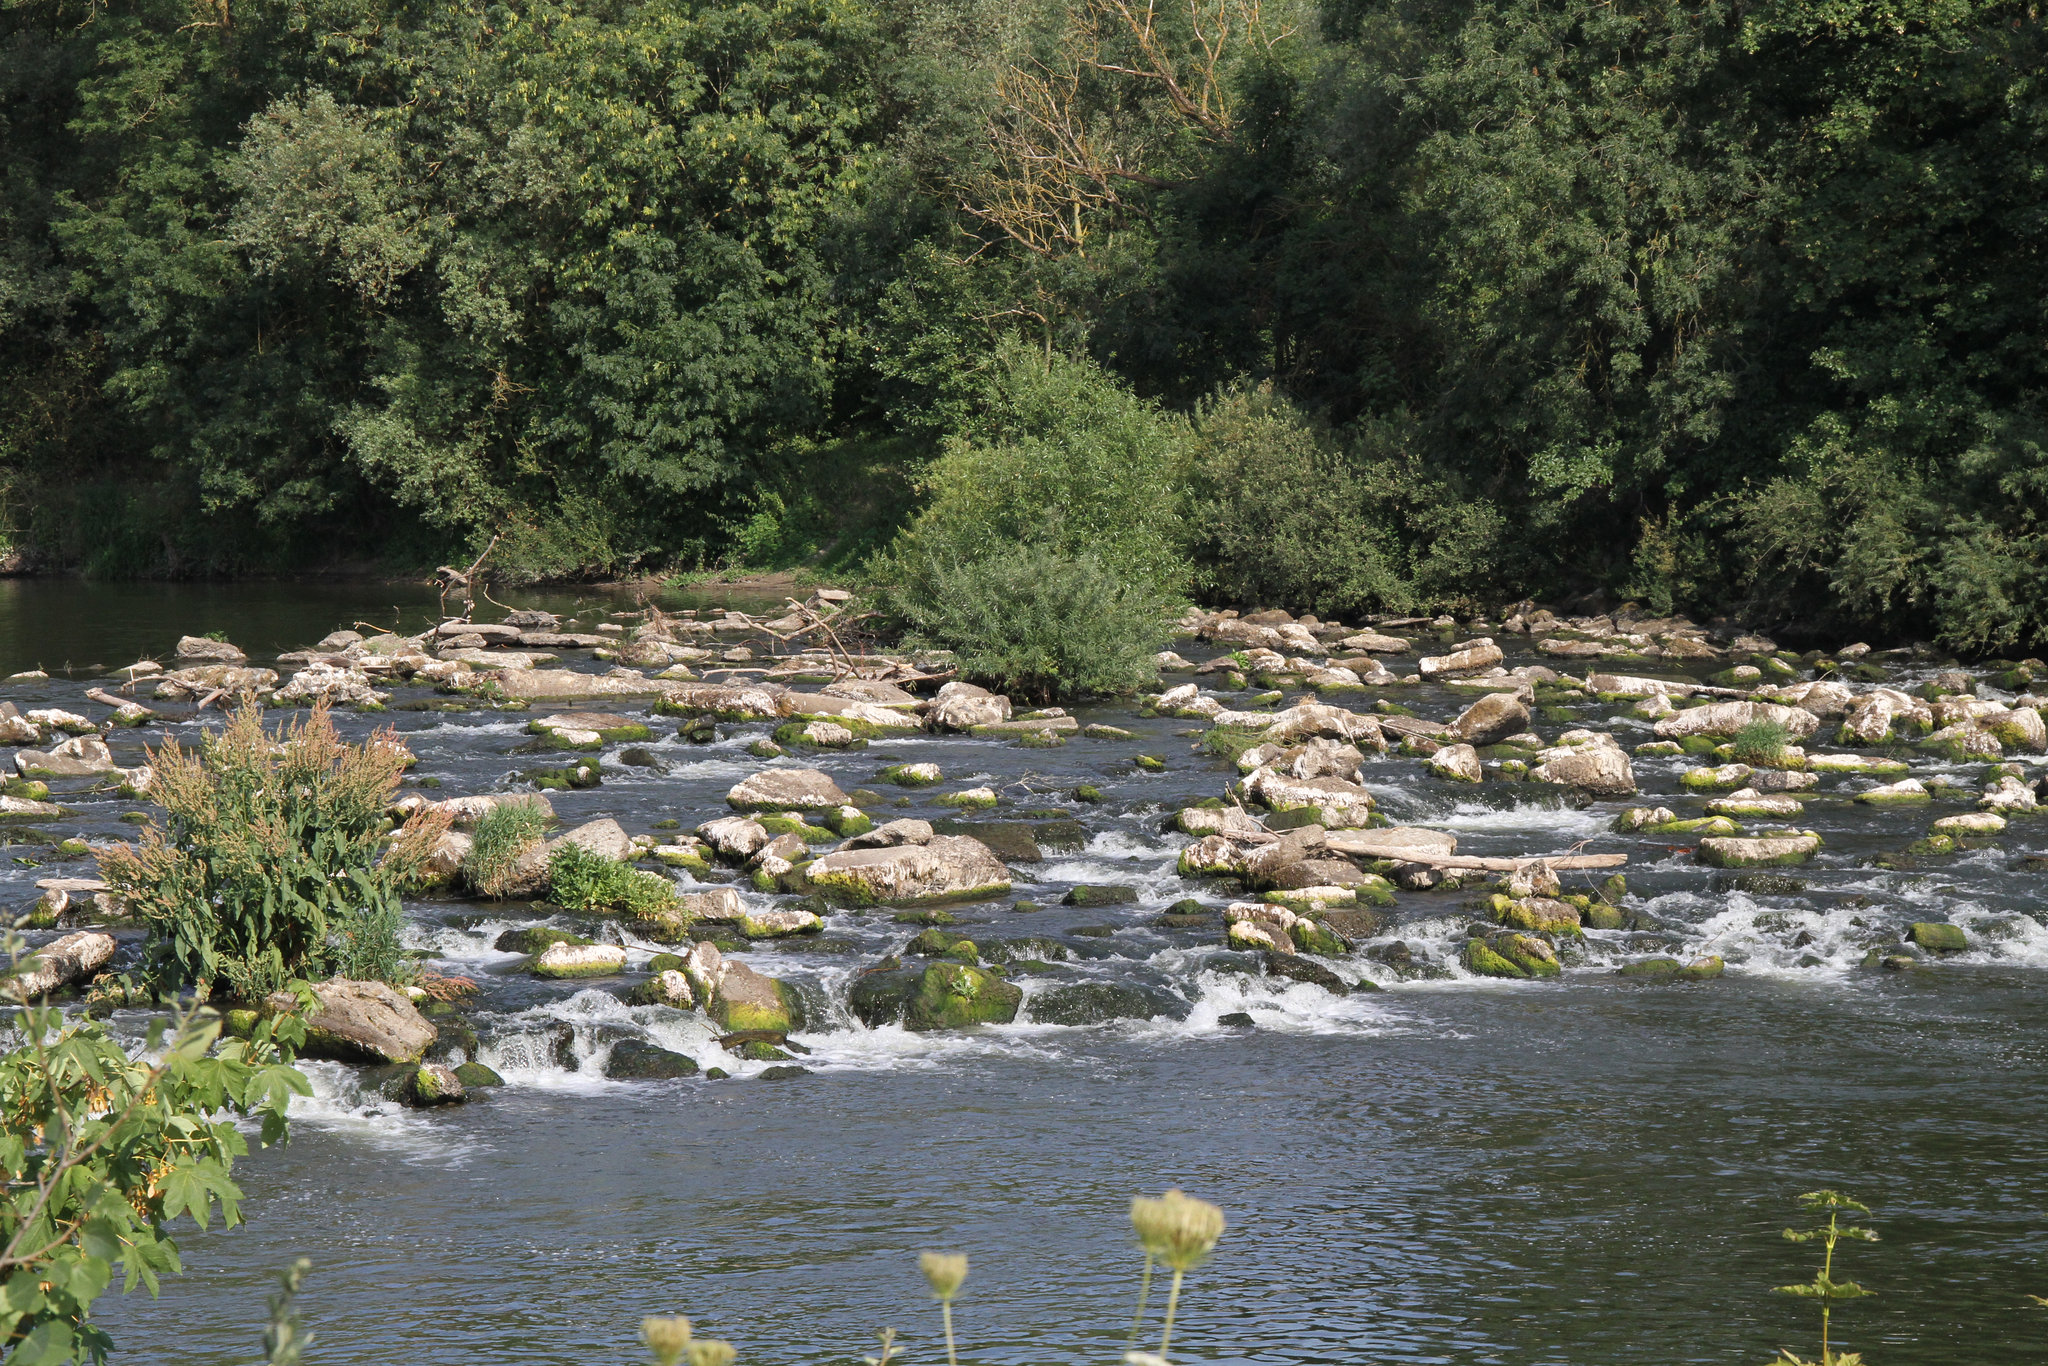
1392	302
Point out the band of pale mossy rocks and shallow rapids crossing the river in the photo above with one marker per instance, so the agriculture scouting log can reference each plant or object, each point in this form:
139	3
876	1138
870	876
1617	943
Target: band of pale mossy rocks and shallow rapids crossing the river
871	857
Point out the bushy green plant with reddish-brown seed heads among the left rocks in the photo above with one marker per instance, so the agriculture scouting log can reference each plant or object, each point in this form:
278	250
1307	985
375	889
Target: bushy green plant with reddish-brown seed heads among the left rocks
267	867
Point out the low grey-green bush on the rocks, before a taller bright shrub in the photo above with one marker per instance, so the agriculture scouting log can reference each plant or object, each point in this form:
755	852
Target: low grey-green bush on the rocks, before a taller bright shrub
1037	624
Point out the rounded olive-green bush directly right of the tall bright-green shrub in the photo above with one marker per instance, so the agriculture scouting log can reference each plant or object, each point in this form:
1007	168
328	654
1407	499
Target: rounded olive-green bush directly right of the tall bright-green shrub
1277	515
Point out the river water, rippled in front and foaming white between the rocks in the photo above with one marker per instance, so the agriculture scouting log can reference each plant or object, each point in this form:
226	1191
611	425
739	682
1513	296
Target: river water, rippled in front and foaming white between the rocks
1449	1170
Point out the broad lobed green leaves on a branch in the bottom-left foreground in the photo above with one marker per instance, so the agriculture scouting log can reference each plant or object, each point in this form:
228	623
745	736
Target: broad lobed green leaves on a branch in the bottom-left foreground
103	1152
